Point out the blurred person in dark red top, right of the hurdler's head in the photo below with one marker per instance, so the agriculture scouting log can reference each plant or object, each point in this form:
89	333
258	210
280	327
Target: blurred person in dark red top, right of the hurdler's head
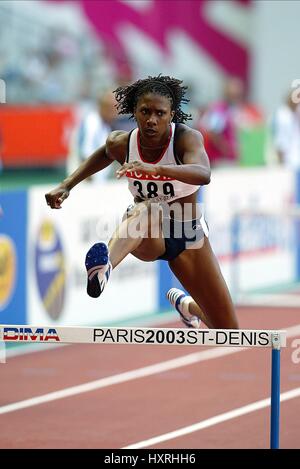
221	122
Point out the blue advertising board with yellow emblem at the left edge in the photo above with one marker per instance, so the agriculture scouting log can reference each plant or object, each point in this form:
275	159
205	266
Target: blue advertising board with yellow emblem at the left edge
13	228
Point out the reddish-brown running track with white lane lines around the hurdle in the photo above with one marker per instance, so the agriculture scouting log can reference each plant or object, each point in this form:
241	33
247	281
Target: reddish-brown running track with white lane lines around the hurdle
141	408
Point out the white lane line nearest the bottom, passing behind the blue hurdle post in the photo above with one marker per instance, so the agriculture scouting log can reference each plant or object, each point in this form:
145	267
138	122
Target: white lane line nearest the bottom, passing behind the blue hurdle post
213	420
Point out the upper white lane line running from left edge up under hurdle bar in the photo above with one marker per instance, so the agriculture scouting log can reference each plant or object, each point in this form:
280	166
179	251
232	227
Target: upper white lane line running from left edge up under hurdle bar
131	375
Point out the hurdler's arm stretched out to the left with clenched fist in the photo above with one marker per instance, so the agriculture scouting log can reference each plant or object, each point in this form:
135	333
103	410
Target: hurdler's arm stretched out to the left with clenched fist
114	149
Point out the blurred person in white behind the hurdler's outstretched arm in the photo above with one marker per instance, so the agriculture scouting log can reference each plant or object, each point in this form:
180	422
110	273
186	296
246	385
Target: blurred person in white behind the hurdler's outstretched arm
93	131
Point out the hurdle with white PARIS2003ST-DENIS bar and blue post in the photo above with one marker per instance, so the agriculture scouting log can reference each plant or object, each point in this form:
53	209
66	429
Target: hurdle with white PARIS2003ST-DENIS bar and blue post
273	339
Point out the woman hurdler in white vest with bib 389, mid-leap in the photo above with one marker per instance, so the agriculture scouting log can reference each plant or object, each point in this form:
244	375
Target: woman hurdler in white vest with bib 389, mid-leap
165	163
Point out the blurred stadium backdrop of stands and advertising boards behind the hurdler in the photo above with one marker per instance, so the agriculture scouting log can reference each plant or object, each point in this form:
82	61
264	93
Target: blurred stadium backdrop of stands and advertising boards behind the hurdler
54	57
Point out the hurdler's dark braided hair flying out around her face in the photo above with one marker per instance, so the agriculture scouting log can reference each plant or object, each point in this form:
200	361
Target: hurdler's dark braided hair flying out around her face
127	96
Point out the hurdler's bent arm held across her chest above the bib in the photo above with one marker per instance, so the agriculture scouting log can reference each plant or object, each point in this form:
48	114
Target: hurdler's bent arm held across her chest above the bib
195	168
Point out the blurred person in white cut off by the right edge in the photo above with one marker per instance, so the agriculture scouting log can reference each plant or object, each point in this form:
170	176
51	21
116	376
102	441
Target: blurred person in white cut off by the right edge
286	133
